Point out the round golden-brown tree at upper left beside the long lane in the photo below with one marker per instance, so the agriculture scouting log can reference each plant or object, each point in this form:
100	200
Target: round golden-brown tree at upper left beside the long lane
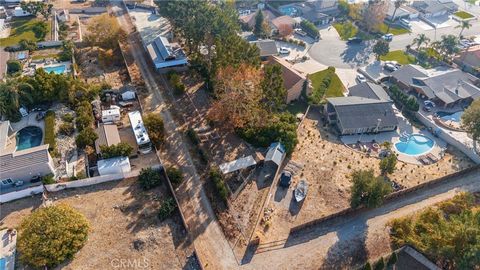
104	31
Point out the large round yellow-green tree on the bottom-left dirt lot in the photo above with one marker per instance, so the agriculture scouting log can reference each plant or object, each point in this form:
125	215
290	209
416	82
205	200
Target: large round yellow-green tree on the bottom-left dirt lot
51	235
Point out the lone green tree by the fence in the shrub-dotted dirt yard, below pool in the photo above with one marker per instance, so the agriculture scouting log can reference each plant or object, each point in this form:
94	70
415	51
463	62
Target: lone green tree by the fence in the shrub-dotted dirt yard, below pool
367	189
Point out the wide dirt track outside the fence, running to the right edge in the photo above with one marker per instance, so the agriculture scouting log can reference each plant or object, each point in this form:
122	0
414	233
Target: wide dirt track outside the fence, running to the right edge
343	243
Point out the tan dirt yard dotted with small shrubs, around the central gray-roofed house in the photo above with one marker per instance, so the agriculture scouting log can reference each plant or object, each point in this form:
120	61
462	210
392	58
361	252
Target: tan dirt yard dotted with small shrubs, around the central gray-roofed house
326	165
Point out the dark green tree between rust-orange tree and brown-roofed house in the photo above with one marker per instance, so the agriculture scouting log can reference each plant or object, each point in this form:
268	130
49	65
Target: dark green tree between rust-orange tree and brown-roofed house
273	90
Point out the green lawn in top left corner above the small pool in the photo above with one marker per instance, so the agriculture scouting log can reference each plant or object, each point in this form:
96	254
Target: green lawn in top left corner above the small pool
22	29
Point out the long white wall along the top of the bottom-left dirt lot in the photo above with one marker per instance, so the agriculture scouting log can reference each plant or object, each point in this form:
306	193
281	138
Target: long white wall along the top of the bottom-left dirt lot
15	195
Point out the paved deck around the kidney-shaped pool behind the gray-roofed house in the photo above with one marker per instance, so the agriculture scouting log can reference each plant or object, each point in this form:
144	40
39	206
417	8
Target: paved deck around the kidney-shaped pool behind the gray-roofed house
394	136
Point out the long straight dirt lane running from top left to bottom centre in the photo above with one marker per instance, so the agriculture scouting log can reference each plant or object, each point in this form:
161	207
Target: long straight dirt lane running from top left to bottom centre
212	248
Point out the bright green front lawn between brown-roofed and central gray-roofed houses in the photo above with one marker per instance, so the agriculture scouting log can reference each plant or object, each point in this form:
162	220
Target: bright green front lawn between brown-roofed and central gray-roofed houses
335	88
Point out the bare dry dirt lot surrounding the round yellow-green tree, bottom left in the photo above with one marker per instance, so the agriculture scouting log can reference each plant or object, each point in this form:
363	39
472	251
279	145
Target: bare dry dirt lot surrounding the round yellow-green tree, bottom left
124	226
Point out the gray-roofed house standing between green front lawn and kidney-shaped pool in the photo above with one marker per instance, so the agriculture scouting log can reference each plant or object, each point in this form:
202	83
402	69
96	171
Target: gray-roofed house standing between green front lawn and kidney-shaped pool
367	109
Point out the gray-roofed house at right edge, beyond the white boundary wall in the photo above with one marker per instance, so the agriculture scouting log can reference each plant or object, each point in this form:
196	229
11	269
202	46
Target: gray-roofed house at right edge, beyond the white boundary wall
446	88
